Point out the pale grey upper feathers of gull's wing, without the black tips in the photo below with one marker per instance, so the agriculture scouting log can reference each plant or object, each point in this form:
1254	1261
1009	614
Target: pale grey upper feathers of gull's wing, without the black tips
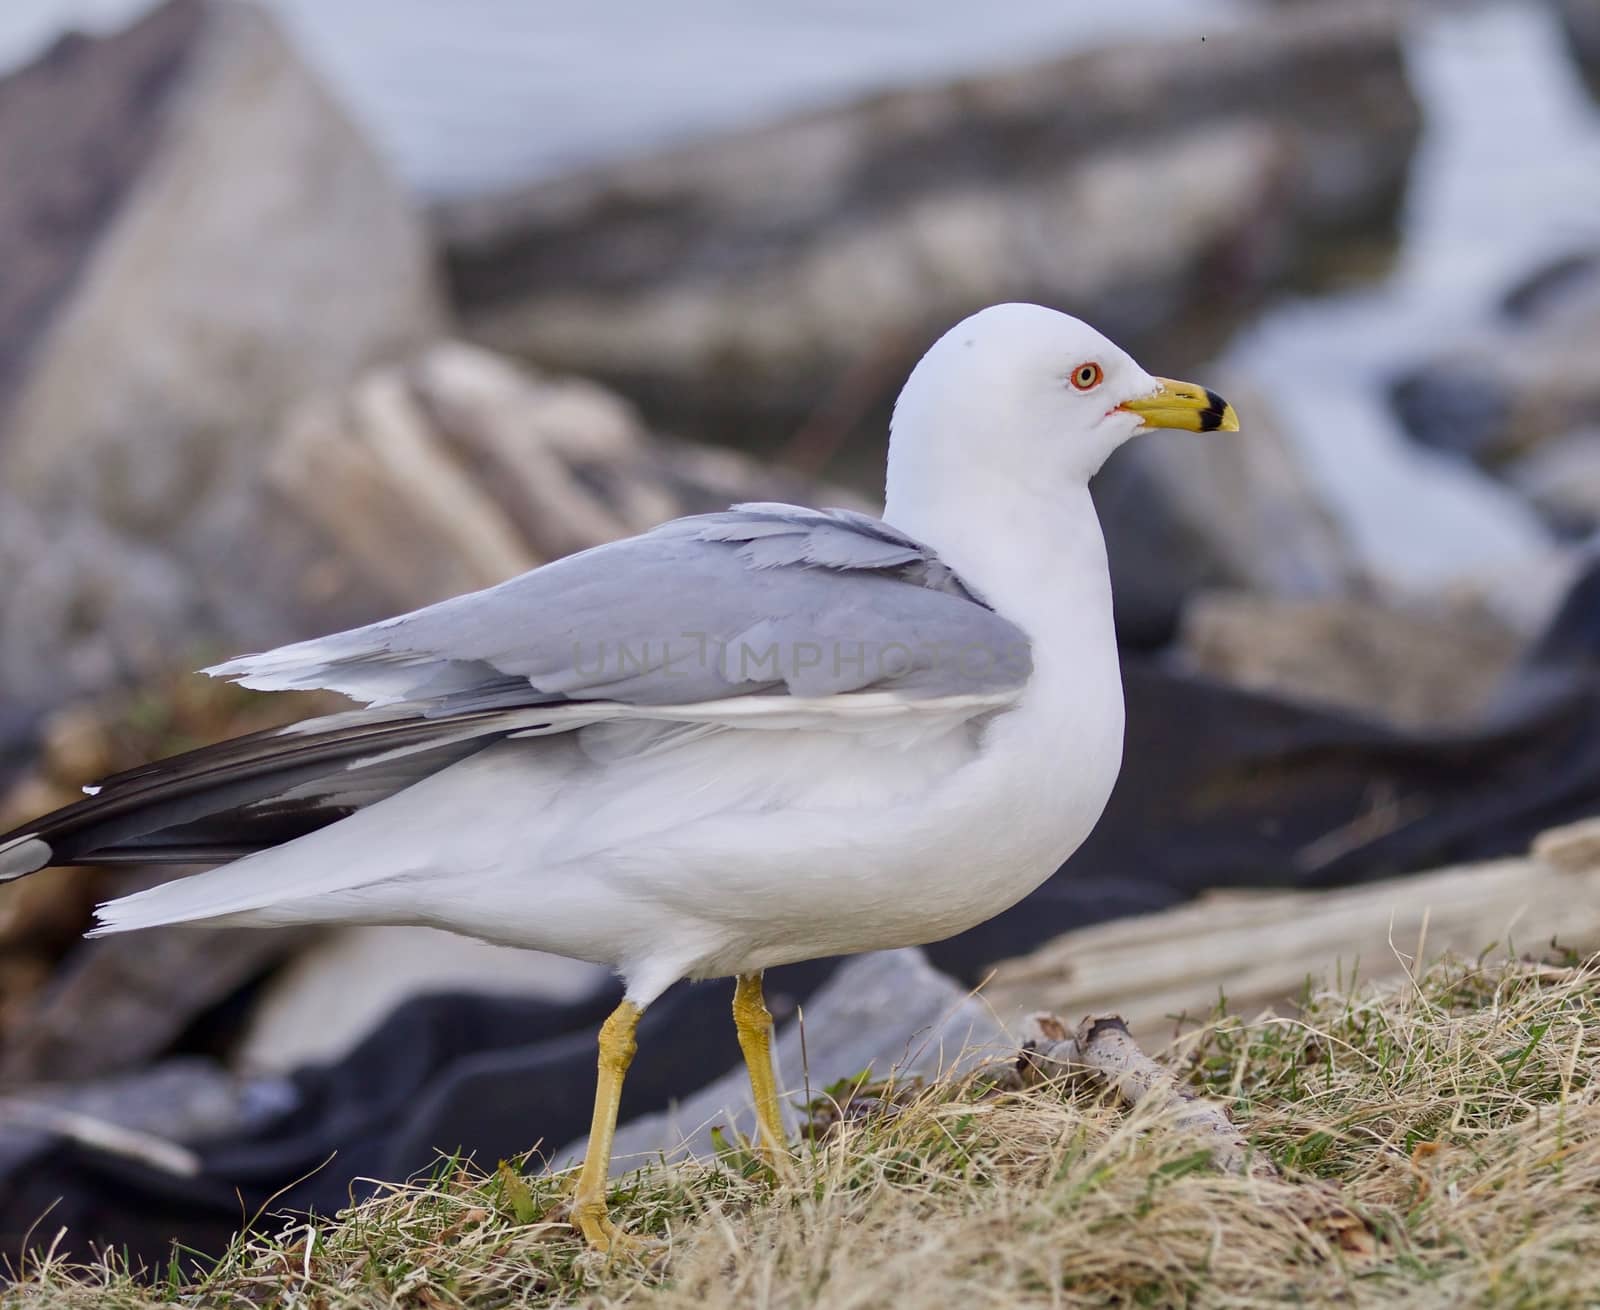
762	599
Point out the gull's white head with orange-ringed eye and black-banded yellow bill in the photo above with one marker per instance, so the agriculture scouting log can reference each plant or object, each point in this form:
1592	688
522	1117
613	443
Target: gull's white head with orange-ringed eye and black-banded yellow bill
1023	394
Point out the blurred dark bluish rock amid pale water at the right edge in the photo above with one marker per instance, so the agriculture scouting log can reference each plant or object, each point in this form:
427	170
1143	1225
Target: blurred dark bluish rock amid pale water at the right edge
1522	380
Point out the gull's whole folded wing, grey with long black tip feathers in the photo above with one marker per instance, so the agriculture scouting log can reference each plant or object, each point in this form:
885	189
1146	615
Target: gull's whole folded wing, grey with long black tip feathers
759	617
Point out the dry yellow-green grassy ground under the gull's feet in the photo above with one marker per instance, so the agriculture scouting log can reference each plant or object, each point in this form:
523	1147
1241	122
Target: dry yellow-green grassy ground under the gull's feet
1439	1143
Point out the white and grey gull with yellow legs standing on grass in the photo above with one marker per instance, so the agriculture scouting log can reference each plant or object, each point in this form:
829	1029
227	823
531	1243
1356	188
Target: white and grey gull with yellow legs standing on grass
737	741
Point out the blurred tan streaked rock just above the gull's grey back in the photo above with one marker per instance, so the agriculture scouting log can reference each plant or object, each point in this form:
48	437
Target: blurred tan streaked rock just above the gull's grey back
457	471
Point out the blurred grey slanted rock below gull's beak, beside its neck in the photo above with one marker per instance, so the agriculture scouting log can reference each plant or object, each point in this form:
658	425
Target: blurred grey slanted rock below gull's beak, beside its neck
1231	509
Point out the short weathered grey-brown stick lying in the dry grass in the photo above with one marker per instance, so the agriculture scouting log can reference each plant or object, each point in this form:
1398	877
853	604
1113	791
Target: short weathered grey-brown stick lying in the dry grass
1105	1050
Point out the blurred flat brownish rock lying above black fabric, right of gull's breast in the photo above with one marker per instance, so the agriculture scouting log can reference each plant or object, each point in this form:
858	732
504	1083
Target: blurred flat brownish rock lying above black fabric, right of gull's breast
1423	671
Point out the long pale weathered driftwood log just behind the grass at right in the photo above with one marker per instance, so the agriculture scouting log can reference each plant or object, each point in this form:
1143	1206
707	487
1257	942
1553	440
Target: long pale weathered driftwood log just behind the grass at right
1258	949
